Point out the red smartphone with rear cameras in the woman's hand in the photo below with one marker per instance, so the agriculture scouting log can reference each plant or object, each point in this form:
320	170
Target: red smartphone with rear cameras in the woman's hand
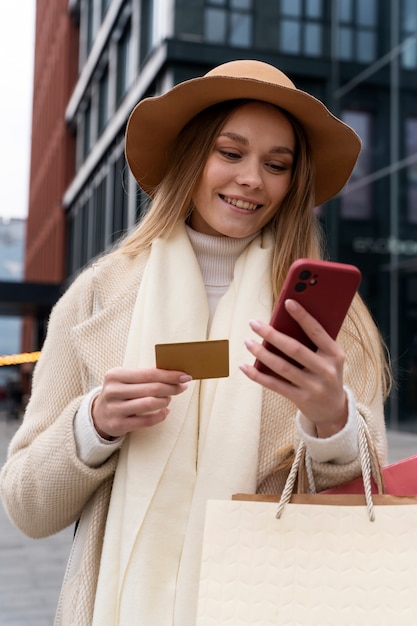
325	289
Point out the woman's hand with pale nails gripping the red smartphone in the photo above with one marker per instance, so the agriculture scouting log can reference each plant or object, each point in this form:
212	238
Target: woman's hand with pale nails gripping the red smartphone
316	388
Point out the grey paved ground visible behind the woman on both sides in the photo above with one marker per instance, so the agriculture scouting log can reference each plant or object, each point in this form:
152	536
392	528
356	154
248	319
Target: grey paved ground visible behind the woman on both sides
31	571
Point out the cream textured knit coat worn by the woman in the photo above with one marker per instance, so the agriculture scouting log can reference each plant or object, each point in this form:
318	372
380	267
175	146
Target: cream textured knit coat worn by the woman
45	487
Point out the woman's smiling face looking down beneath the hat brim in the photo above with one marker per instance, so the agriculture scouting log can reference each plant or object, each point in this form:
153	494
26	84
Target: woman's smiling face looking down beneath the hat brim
247	174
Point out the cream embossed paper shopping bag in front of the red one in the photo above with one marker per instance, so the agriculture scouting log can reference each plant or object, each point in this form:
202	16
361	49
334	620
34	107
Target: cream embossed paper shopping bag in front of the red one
318	565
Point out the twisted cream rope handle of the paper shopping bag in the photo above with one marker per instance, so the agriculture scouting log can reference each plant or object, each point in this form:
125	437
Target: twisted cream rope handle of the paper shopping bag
370	467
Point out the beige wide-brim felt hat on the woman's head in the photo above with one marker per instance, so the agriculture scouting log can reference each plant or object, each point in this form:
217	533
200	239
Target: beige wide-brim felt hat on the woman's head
155	122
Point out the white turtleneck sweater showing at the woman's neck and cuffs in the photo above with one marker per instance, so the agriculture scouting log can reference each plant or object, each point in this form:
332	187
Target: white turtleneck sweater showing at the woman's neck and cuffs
217	256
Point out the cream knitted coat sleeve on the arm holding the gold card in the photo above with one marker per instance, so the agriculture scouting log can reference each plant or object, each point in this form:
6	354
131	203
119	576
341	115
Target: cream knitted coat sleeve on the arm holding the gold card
44	485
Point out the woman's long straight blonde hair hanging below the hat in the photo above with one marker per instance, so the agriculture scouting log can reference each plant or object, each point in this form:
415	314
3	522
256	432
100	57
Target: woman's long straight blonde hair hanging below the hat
296	229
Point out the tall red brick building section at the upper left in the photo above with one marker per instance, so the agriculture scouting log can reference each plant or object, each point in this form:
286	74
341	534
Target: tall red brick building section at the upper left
52	148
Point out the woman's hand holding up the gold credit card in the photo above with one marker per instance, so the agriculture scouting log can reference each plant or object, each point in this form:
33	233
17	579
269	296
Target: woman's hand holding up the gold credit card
131	399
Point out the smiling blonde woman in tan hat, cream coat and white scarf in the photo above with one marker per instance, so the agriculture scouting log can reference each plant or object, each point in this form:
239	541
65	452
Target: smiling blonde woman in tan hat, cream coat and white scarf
234	163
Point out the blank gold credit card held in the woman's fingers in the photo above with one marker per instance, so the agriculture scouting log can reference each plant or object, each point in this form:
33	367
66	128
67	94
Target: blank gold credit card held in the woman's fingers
199	359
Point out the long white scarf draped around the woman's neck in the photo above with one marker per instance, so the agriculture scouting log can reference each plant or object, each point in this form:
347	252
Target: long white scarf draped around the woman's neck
206	448
